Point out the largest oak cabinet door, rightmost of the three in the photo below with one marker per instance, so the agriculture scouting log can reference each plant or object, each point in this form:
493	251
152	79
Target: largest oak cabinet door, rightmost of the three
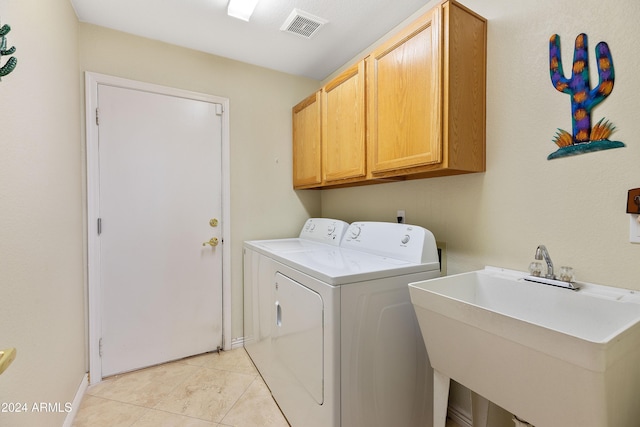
405	103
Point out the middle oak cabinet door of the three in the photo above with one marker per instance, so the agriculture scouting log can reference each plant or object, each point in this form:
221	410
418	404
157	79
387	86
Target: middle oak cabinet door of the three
343	126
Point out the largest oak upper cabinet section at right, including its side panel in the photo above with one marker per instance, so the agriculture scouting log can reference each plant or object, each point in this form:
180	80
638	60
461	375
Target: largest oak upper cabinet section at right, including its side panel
426	91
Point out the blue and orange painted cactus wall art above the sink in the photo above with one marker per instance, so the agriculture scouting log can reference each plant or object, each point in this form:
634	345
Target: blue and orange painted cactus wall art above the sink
585	137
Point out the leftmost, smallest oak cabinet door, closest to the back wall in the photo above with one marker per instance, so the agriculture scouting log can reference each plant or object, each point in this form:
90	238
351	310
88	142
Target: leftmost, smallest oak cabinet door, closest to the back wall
307	162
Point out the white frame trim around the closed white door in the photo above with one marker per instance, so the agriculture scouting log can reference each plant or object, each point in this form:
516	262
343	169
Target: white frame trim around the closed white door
94	310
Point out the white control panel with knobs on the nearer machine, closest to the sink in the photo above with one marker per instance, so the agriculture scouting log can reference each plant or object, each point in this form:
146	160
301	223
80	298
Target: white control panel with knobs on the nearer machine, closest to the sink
405	242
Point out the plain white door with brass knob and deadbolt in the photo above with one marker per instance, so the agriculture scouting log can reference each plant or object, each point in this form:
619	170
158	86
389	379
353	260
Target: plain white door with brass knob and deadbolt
159	187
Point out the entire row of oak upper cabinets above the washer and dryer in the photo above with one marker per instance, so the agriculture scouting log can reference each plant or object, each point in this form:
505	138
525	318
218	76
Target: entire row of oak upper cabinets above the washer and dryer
425	95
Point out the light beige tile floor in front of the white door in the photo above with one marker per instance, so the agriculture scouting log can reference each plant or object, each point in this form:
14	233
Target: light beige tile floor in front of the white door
210	390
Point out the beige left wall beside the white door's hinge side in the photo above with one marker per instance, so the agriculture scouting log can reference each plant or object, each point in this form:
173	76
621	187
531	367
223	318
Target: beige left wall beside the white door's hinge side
41	245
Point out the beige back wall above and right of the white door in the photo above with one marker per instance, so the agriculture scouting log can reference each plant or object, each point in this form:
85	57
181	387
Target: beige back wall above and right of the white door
263	203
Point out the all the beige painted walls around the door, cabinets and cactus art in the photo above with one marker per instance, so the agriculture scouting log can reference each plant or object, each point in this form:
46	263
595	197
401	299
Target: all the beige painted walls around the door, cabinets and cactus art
574	205
